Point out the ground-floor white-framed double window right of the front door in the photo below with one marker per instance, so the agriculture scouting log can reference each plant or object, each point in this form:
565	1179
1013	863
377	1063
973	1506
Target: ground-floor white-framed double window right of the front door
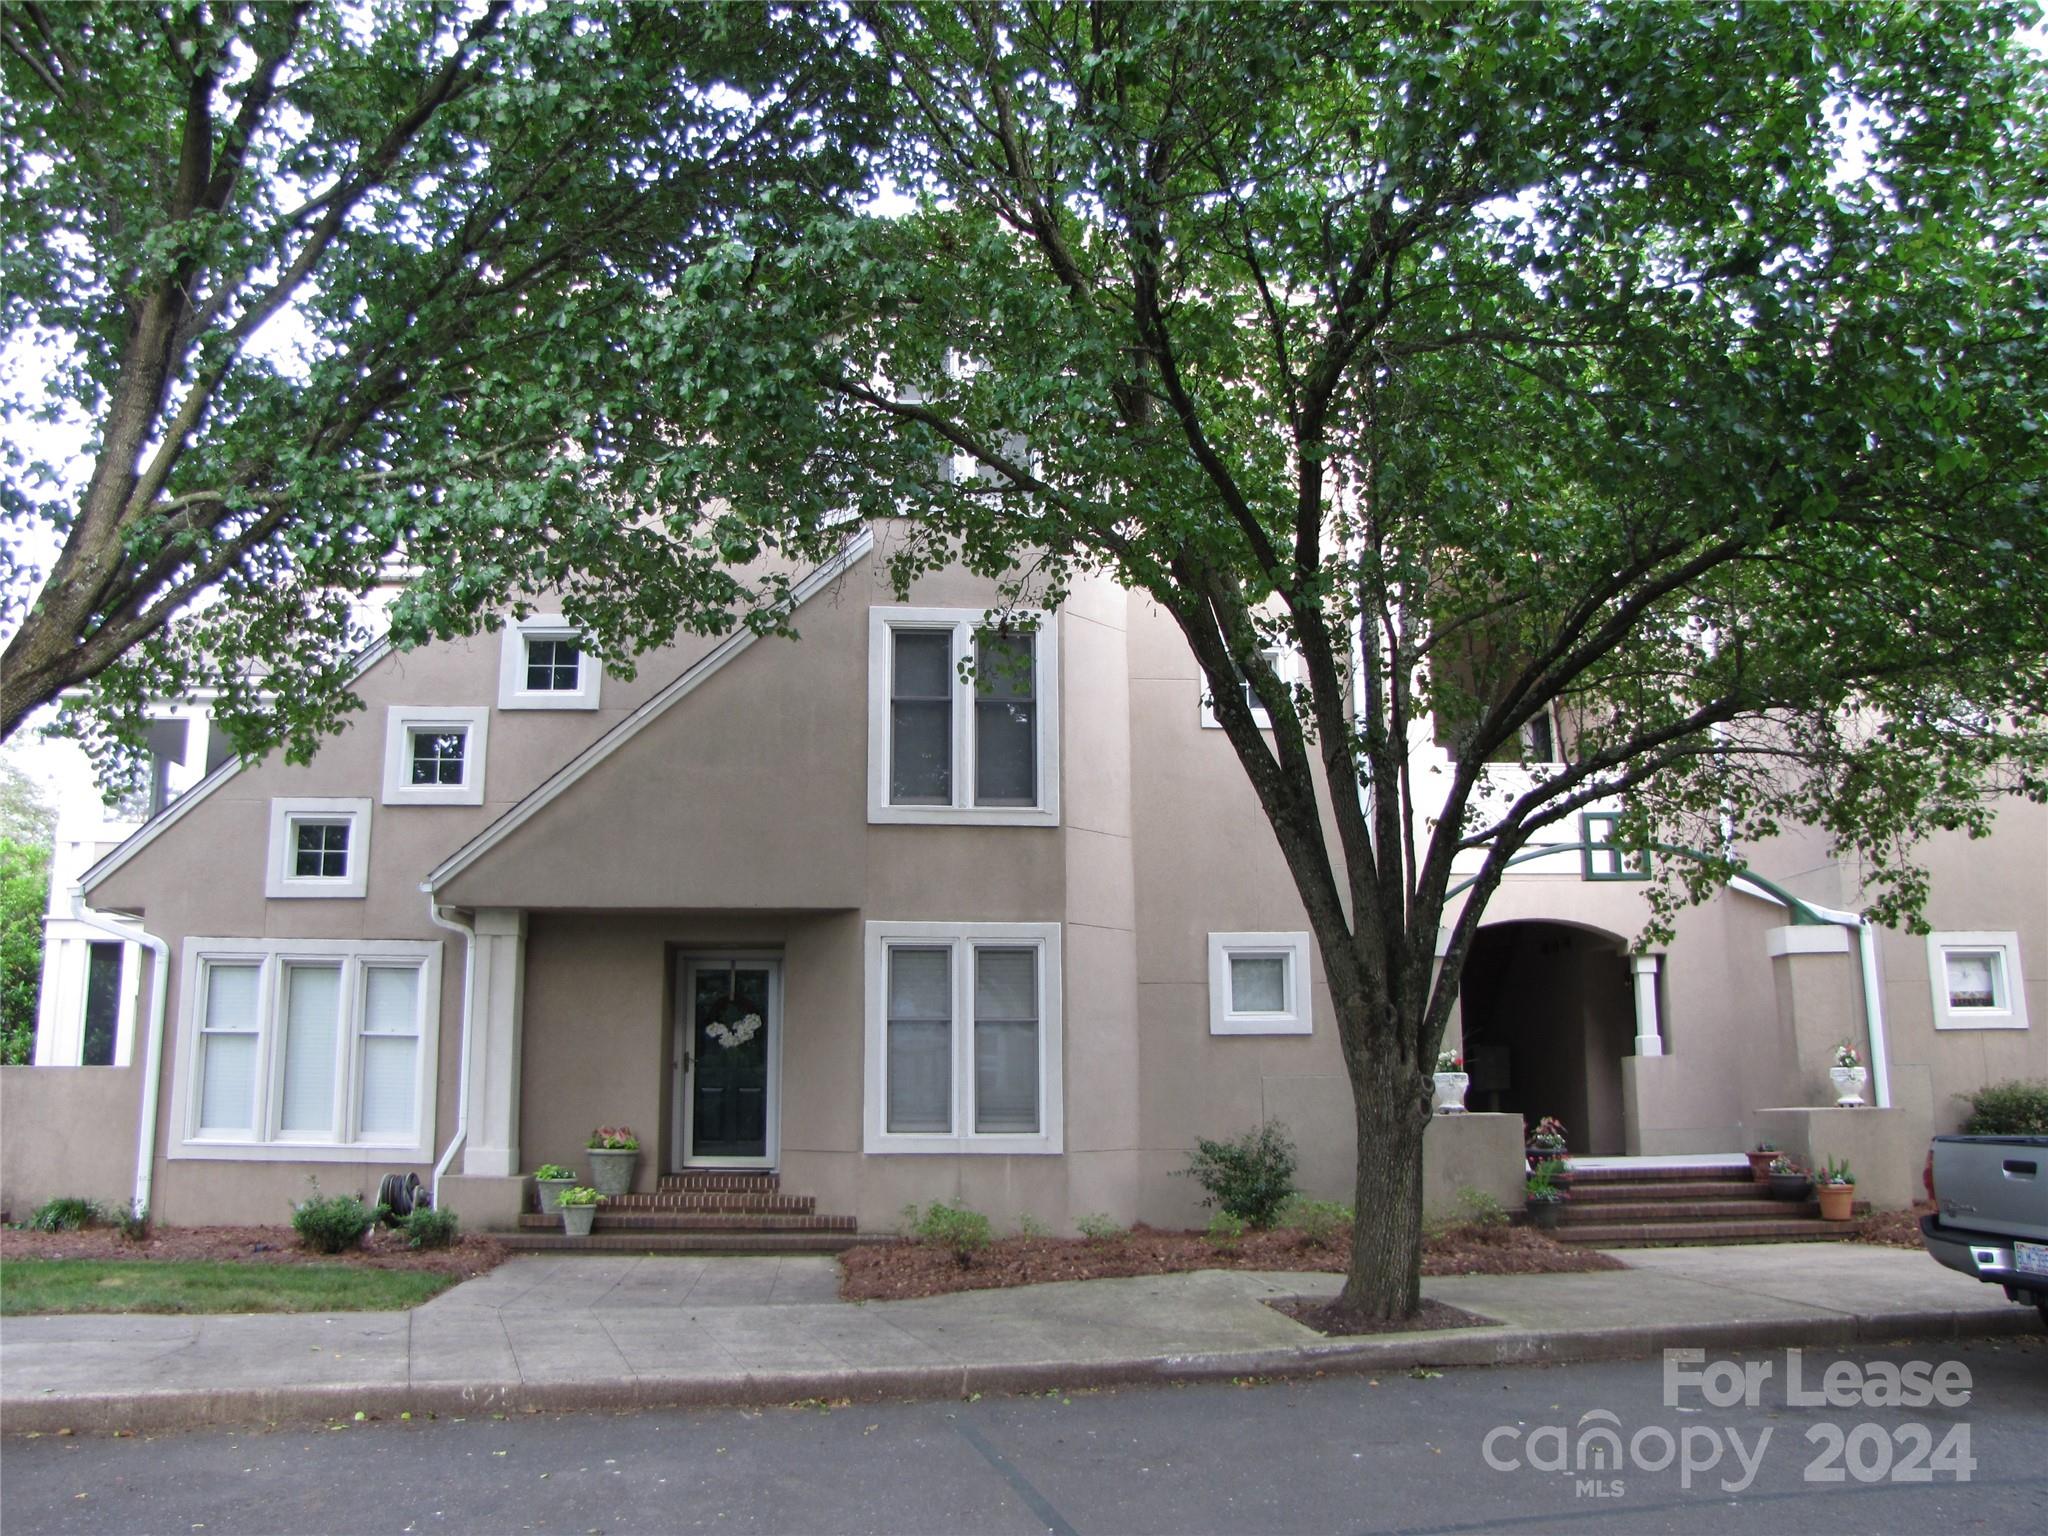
964	1039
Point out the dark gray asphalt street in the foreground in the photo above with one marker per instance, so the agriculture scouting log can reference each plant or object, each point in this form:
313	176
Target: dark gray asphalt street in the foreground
1920	1439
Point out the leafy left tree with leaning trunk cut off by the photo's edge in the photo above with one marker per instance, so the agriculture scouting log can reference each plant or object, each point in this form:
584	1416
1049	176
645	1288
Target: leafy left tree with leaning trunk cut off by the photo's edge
337	290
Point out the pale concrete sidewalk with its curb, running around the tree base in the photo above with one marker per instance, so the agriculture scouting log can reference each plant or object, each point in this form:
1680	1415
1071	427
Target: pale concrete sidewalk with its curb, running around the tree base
644	1332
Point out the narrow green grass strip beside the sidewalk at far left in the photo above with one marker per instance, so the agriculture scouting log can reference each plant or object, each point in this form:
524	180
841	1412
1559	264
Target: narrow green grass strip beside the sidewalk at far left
210	1287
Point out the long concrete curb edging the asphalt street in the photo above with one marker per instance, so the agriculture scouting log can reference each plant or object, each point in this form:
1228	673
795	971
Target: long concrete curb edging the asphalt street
1480	1347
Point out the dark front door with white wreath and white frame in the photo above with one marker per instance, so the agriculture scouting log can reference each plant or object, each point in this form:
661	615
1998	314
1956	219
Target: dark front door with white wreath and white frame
730	1043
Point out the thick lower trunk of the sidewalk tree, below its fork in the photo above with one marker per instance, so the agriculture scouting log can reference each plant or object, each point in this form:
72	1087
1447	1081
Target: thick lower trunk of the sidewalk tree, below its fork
1392	1115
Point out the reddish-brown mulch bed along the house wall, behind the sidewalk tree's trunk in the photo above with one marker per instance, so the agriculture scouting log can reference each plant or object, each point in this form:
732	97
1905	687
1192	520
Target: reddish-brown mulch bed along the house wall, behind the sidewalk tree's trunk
904	1271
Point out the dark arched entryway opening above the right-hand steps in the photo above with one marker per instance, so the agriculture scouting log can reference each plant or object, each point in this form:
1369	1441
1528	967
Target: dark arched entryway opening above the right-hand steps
1549	1015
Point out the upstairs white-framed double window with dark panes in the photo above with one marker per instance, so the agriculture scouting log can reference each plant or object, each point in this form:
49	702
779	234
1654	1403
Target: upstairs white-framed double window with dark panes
964	722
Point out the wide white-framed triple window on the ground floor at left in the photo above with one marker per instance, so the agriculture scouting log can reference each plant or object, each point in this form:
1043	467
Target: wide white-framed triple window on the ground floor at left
308	1050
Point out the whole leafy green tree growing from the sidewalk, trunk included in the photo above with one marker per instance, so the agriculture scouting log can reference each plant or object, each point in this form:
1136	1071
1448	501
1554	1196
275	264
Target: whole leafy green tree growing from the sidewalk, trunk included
1668	374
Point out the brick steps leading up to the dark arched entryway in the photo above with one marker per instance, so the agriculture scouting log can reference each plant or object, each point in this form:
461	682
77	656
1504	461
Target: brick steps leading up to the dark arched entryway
1668	1207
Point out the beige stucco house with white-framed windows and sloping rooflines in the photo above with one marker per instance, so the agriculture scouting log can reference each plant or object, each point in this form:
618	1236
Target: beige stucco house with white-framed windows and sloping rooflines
824	908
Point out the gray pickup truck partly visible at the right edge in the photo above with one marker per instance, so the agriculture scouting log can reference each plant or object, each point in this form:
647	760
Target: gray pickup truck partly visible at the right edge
1992	1211
